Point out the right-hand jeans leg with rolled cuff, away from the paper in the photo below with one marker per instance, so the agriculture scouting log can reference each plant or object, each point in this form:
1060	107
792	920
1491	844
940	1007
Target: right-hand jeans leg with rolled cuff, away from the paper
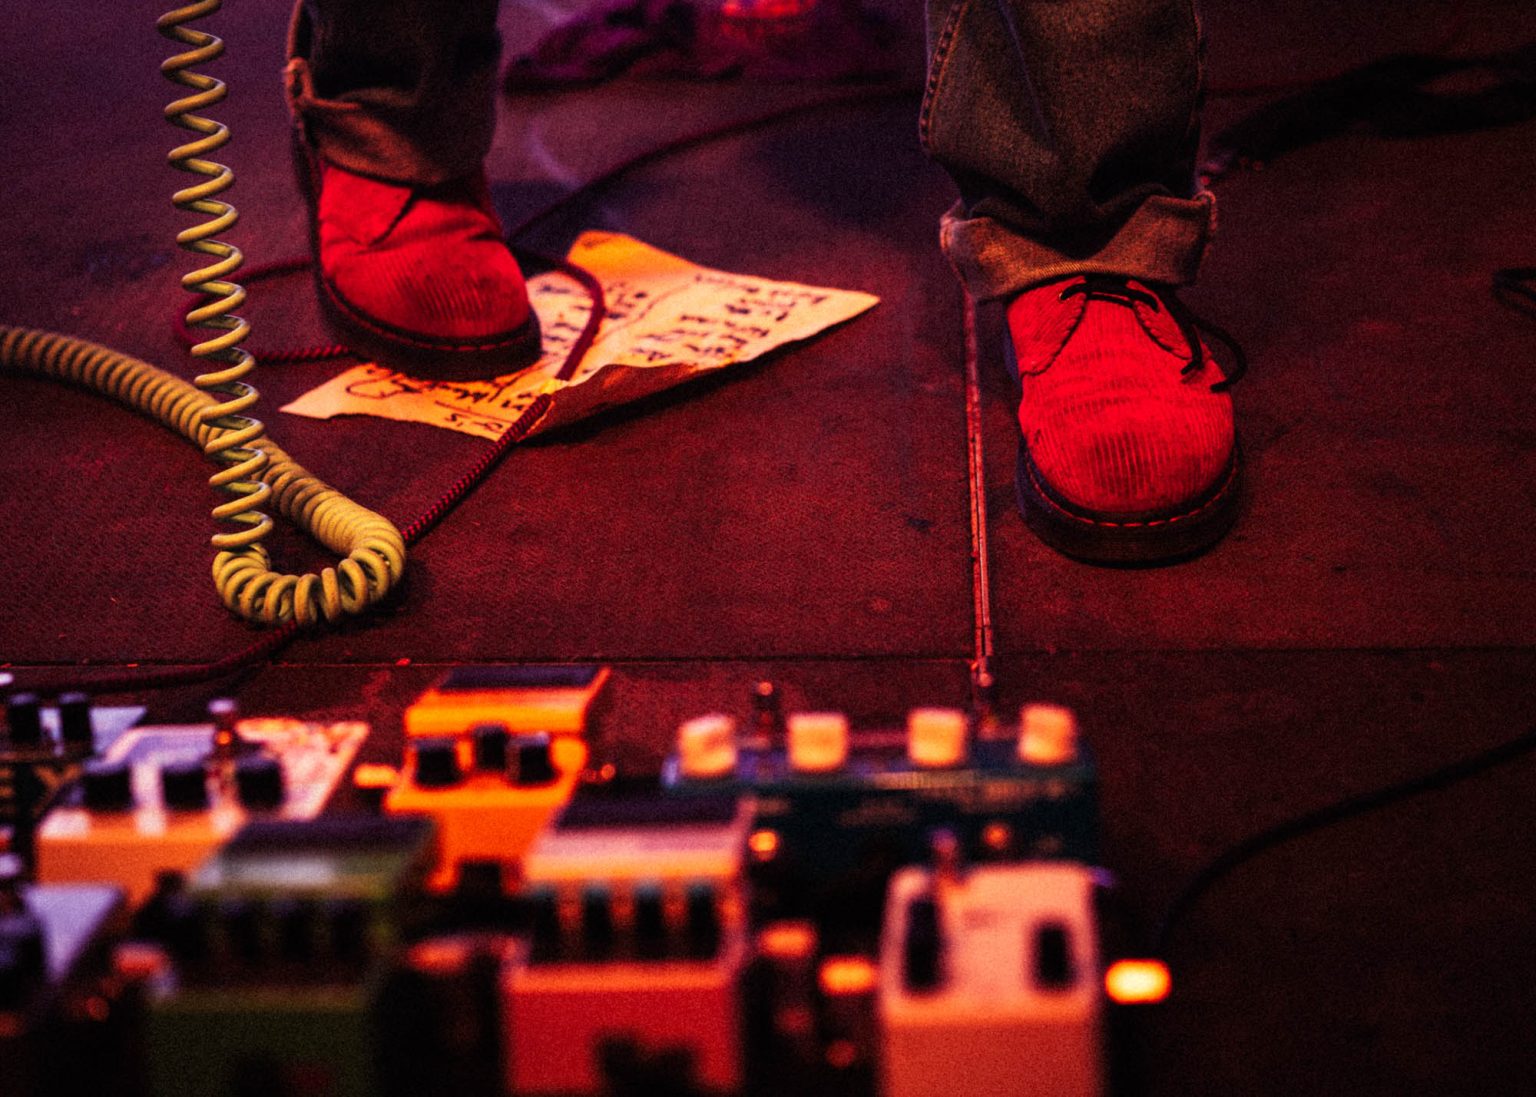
1070	128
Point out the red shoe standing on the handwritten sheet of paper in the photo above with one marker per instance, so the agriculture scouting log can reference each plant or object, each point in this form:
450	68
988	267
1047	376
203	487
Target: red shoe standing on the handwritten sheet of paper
420	277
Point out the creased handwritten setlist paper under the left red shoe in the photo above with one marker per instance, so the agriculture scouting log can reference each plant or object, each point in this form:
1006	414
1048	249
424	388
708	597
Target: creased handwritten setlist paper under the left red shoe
667	322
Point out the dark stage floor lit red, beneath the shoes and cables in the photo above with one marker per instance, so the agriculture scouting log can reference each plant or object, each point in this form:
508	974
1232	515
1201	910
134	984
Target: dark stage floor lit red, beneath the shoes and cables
806	519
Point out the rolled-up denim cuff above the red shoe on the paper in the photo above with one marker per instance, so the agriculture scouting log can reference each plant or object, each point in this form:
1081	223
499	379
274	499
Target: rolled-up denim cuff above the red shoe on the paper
417	138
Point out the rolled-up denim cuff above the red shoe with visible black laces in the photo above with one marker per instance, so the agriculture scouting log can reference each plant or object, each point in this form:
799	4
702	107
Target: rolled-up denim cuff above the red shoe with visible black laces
1164	242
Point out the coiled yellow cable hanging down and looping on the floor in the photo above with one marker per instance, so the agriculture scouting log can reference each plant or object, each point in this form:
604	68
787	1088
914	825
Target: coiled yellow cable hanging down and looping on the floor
256	472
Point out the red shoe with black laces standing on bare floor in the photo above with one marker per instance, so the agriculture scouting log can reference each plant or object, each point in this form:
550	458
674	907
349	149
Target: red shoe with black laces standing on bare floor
1128	451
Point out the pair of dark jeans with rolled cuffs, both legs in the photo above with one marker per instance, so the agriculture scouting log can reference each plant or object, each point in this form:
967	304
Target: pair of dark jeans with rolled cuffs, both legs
1070	127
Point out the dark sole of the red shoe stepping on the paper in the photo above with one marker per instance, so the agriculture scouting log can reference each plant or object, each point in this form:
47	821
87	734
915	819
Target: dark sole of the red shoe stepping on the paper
420	356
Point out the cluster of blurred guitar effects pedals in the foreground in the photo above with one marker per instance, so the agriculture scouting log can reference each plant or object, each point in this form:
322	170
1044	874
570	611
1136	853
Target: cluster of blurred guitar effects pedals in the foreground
790	904
